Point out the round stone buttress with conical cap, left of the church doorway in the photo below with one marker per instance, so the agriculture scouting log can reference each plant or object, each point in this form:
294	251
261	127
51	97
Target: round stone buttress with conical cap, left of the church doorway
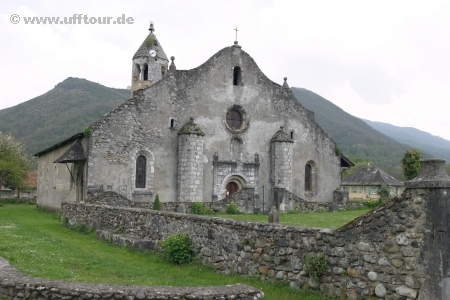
190	163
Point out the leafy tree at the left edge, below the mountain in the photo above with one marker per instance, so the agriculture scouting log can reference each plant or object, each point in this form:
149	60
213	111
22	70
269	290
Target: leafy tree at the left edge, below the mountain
14	162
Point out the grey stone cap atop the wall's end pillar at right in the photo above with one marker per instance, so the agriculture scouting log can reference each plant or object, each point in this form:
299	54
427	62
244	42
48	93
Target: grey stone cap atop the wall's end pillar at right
432	175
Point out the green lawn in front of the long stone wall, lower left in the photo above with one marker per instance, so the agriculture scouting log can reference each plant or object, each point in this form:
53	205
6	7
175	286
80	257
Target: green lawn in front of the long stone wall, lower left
37	245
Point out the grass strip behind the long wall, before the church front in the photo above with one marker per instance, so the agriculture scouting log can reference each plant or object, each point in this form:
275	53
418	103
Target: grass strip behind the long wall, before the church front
317	219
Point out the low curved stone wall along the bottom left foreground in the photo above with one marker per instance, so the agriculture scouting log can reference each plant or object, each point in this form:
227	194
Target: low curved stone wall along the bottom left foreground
14	285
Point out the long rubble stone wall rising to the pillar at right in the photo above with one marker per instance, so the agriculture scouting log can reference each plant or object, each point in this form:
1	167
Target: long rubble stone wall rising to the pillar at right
397	251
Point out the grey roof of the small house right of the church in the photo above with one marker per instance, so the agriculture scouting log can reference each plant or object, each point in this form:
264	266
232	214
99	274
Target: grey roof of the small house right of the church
371	176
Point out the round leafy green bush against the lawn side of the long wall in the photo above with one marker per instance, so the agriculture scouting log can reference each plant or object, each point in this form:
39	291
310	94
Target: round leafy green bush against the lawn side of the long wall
177	249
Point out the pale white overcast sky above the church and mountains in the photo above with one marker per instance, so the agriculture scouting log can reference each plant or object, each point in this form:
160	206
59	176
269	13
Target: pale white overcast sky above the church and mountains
385	61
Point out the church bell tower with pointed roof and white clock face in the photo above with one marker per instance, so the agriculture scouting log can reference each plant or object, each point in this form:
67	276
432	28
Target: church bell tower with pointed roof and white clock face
150	63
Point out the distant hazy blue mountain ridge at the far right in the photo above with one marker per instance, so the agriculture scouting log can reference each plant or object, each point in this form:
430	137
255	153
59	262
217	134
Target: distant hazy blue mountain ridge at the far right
431	145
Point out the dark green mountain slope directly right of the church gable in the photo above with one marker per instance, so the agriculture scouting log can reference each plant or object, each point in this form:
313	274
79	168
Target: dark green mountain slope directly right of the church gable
356	139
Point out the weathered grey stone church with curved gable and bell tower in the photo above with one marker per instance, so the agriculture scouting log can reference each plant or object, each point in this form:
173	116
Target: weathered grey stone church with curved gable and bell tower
196	135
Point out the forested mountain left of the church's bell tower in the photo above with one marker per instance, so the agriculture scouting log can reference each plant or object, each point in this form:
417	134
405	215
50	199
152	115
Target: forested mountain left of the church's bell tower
60	113
